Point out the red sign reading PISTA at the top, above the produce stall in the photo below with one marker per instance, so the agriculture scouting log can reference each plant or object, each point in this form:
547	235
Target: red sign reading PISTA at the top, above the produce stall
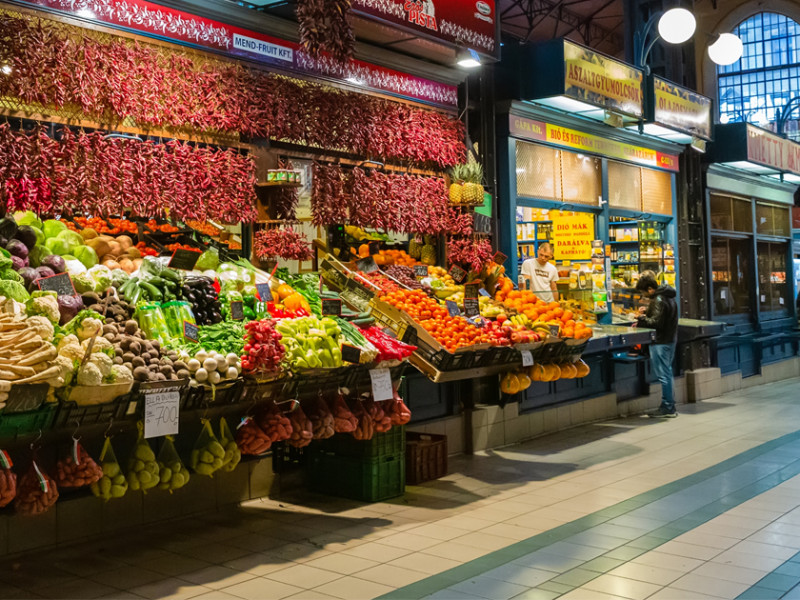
472	23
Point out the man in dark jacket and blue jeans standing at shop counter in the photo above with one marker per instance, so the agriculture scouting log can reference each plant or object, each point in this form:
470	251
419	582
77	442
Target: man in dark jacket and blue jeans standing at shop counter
661	315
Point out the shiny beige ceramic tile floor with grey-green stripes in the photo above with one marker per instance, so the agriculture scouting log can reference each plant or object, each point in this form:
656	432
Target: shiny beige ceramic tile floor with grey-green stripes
703	506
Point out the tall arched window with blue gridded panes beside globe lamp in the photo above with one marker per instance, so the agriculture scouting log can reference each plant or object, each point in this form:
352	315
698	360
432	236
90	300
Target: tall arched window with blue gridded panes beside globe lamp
759	84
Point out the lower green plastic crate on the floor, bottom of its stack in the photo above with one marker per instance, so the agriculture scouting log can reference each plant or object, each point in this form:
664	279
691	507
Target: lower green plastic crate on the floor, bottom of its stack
367	480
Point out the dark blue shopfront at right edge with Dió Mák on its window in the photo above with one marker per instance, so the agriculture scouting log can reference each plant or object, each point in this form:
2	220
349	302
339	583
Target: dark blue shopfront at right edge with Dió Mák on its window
750	185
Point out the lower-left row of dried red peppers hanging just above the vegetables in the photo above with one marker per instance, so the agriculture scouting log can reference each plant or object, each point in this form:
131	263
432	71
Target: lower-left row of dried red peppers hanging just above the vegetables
87	172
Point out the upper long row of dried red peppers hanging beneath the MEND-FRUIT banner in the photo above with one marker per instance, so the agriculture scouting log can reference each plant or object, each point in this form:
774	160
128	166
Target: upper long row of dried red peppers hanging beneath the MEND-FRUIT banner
57	66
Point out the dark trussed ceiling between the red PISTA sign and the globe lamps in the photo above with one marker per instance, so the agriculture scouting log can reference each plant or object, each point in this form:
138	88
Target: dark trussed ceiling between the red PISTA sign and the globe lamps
595	23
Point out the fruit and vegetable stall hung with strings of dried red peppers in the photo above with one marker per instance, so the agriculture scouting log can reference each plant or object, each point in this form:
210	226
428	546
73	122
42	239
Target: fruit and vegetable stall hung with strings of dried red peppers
138	205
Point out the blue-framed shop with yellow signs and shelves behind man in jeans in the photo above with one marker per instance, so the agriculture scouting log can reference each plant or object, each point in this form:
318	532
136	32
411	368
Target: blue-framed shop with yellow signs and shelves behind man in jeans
603	195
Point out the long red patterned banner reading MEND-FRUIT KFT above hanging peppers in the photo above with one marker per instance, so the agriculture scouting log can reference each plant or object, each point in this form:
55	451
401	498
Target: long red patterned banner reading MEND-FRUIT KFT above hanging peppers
150	19
